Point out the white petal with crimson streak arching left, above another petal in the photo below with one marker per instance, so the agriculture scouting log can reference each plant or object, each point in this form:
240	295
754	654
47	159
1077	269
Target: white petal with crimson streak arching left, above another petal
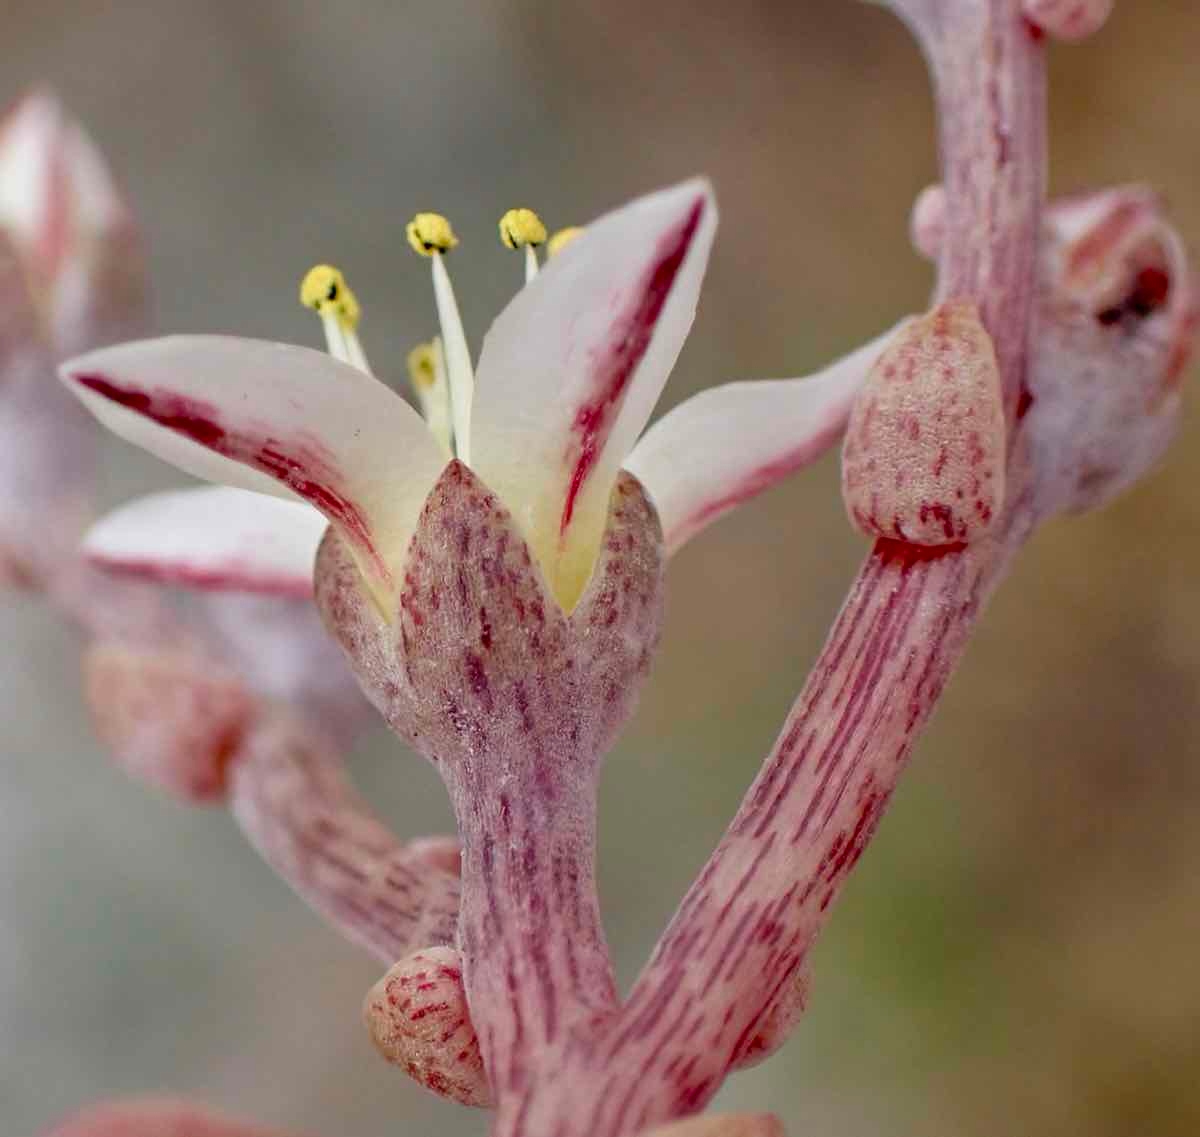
265	416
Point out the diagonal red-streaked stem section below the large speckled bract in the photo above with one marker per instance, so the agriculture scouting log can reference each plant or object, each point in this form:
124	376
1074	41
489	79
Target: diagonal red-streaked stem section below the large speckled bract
749	922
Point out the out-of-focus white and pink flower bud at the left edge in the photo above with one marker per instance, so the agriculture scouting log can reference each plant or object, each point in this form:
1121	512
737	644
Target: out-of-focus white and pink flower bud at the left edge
71	276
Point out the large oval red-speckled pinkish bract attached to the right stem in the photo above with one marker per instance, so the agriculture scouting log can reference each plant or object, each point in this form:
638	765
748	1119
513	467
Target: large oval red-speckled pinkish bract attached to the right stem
925	454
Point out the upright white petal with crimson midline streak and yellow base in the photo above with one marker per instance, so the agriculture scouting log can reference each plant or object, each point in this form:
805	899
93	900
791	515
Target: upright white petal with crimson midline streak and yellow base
572	370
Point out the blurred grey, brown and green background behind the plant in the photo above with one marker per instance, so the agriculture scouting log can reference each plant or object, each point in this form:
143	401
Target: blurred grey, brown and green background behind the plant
1017	953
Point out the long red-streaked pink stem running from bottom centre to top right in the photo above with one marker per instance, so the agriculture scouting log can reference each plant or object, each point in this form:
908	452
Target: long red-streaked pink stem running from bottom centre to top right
748	923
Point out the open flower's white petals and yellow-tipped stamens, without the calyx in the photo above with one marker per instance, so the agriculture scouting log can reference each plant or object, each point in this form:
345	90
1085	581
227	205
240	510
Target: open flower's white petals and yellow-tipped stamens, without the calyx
567	380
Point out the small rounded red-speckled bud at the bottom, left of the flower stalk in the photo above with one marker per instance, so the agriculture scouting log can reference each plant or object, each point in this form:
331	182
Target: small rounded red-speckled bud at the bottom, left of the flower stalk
418	1020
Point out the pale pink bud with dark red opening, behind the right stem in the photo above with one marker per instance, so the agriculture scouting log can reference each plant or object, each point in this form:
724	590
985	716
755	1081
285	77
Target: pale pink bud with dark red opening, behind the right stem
1115	328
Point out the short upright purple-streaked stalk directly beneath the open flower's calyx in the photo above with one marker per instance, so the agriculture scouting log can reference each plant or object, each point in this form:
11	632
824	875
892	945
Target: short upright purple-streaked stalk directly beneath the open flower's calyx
530	928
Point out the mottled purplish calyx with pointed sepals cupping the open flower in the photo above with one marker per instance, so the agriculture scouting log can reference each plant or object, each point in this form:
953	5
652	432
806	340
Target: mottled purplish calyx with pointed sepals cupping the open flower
479	657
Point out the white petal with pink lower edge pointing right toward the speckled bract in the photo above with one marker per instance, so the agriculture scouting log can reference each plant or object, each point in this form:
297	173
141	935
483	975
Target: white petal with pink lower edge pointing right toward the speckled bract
728	444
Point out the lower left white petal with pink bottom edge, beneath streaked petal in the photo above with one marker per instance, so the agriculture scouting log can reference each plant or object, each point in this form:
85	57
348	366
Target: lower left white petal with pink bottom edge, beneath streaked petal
214	539
